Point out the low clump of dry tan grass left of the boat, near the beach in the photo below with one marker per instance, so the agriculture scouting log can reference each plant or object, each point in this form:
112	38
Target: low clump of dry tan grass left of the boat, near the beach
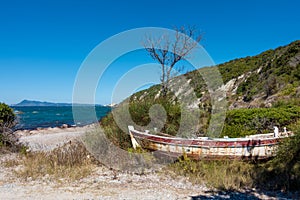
70	162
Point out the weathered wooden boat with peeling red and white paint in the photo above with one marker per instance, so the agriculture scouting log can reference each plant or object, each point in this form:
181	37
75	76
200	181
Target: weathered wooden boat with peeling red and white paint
256	147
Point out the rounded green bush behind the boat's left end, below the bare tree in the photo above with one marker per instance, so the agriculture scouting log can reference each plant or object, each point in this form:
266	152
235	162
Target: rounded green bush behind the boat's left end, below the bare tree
139	114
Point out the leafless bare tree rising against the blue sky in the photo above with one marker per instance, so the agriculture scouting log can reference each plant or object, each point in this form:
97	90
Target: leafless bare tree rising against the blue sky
169	50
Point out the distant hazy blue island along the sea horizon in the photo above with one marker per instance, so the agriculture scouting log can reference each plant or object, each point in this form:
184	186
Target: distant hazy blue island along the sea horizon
45	103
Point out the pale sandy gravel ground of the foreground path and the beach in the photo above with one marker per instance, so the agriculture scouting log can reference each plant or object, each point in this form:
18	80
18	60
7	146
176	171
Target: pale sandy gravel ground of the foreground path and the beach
102	183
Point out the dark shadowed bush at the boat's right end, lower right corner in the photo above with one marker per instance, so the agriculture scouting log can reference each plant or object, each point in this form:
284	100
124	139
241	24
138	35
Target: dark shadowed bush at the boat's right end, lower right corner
282	172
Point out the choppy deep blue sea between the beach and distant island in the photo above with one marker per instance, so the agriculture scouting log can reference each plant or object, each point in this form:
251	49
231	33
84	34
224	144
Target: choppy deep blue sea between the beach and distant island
32	117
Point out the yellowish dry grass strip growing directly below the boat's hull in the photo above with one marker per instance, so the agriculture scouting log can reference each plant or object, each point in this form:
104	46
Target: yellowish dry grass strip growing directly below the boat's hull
223	175
